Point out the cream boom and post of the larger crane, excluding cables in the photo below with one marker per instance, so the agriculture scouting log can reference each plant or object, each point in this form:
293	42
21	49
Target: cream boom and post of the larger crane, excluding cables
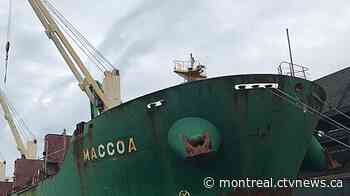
93	90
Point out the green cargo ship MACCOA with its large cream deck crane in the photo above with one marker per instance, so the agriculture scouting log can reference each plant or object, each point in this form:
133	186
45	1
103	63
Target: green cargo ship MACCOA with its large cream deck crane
258	126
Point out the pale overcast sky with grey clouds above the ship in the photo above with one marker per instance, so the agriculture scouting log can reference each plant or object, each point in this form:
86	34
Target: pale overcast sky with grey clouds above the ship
143	37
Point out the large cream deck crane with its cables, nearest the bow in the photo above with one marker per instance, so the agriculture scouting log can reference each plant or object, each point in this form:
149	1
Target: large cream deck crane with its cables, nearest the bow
102	97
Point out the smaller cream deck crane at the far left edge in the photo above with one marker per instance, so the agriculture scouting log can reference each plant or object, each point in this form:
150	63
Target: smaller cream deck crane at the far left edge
27	151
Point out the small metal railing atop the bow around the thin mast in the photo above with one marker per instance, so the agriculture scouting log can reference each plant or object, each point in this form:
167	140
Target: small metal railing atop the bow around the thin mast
295	70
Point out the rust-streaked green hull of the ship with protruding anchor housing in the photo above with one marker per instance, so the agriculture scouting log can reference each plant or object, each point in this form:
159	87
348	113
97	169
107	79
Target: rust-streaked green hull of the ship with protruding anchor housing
130	150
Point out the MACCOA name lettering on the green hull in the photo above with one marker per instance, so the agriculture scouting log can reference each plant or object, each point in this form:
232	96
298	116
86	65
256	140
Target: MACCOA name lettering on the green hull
117	147
